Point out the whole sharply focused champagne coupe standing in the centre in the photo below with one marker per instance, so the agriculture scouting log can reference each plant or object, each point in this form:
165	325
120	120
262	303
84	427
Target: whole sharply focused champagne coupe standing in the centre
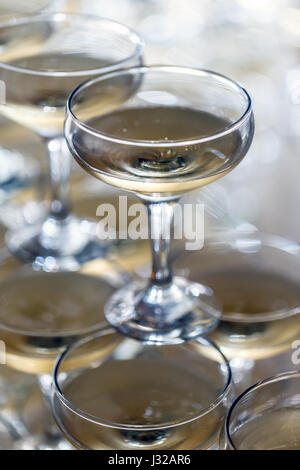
168	130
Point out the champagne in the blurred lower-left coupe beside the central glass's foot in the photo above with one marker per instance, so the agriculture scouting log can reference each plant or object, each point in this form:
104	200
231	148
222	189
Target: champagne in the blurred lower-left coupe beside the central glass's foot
40	313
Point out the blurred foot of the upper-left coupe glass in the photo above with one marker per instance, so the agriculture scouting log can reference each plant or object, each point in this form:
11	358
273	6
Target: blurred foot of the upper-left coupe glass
55	246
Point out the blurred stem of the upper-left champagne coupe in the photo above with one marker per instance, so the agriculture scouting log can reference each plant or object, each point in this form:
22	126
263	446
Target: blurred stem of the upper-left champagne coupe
59	162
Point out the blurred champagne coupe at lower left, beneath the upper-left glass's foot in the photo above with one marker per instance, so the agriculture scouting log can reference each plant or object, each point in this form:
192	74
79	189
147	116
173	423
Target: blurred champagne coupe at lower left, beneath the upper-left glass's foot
40	314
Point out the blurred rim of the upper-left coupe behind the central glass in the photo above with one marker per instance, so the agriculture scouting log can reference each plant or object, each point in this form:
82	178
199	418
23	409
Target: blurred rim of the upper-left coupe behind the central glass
60	16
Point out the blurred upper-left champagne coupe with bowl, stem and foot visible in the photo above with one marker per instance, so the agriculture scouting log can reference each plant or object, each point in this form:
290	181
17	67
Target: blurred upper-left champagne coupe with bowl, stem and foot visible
43	58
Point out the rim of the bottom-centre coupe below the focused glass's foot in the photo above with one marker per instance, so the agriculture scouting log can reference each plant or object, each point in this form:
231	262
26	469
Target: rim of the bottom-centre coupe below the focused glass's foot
115	425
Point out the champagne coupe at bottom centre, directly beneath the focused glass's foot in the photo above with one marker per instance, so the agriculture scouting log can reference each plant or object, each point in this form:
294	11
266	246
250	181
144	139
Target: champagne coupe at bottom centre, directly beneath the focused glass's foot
139	396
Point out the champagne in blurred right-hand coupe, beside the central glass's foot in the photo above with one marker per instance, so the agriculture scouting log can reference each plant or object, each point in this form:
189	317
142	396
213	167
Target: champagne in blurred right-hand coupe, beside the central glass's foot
254	294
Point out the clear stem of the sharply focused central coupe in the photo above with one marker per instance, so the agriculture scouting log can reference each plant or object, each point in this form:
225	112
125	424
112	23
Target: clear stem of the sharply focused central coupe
160	217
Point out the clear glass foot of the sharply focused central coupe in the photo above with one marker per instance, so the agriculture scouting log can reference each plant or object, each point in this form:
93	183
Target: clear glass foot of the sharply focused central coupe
171	314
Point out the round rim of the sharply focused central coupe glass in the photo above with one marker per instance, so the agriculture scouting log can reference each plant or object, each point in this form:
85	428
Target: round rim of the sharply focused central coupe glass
161	143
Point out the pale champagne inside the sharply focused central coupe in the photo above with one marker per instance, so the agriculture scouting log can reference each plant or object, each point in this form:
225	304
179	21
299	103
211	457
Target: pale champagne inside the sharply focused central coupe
161	170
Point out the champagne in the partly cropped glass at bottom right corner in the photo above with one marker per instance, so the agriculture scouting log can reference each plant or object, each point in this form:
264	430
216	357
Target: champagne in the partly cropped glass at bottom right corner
274	430
